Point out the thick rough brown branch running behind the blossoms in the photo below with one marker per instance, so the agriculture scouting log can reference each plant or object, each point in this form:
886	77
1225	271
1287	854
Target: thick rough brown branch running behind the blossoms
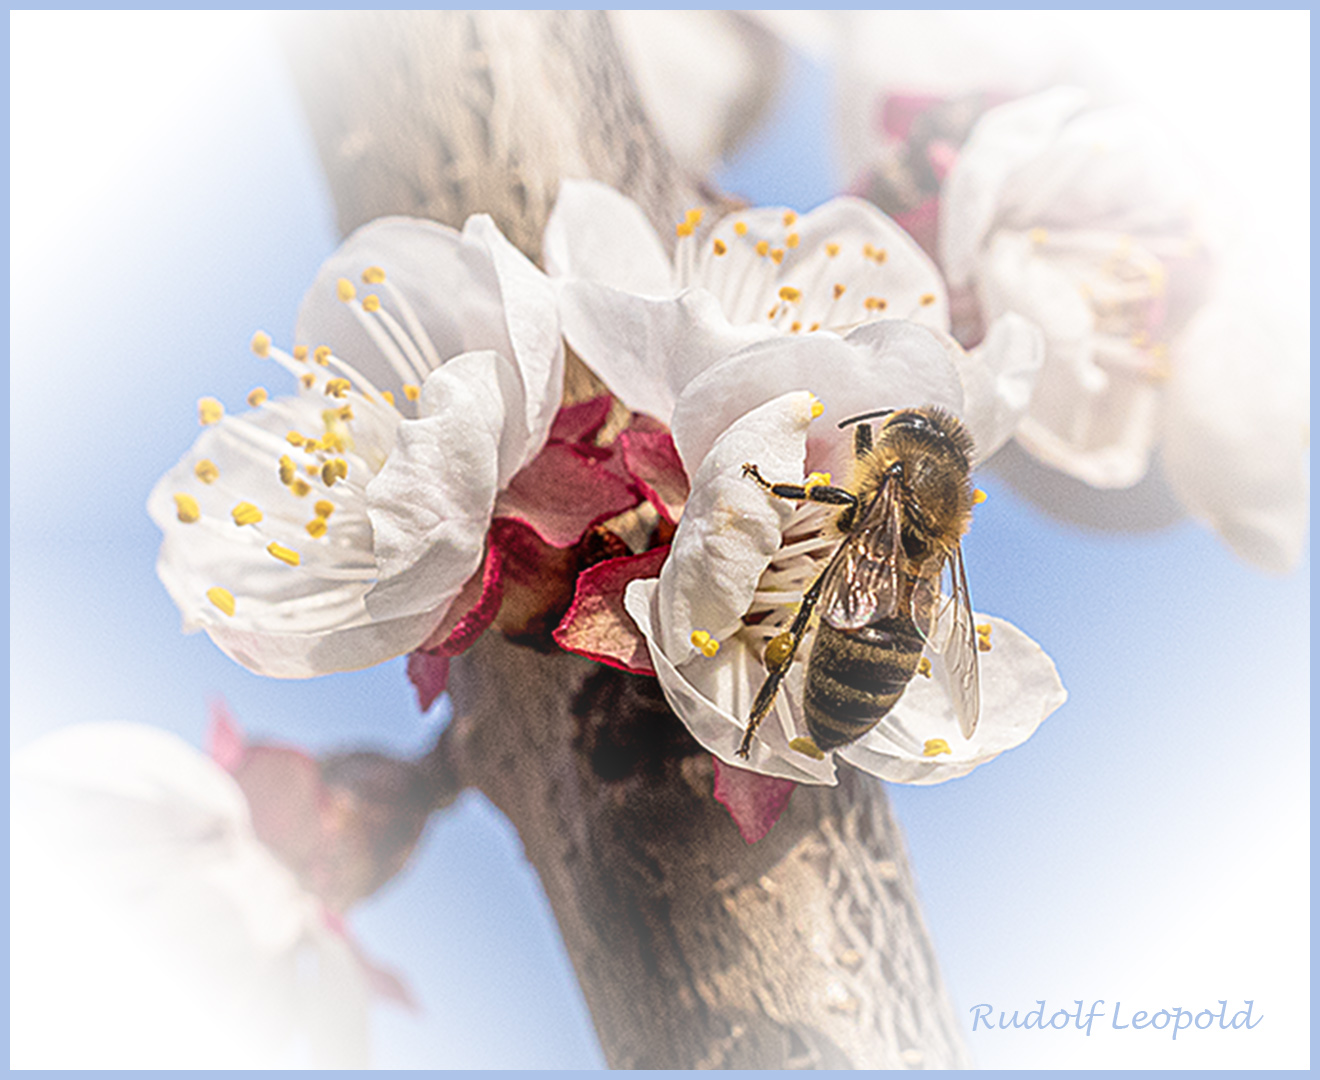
692	947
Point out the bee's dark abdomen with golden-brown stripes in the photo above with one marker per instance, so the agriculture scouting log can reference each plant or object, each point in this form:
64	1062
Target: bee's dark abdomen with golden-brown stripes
856	677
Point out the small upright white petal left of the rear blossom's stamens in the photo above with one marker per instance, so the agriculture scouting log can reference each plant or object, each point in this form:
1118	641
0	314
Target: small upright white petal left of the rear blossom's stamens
597	234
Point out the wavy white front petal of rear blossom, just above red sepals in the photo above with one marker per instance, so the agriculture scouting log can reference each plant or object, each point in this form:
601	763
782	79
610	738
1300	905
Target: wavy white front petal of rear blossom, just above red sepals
647	351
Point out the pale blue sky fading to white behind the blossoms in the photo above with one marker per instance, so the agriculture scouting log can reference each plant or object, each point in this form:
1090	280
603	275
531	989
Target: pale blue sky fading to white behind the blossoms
1150	844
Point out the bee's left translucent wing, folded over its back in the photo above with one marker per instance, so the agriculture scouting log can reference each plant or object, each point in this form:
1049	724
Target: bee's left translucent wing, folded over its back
863	582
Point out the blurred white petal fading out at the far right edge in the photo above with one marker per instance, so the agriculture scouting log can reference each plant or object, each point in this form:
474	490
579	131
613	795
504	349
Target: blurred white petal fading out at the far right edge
1236	434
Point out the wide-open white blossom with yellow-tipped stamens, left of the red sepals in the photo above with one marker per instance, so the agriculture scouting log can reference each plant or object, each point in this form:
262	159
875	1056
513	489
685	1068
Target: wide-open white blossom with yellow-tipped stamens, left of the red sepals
331	530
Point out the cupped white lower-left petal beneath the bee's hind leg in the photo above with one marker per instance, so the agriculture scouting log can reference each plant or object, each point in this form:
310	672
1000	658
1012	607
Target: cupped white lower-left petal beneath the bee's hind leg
703	690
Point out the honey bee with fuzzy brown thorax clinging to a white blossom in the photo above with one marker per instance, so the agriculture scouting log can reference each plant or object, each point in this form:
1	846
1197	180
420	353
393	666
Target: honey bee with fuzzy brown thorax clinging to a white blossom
880	596
